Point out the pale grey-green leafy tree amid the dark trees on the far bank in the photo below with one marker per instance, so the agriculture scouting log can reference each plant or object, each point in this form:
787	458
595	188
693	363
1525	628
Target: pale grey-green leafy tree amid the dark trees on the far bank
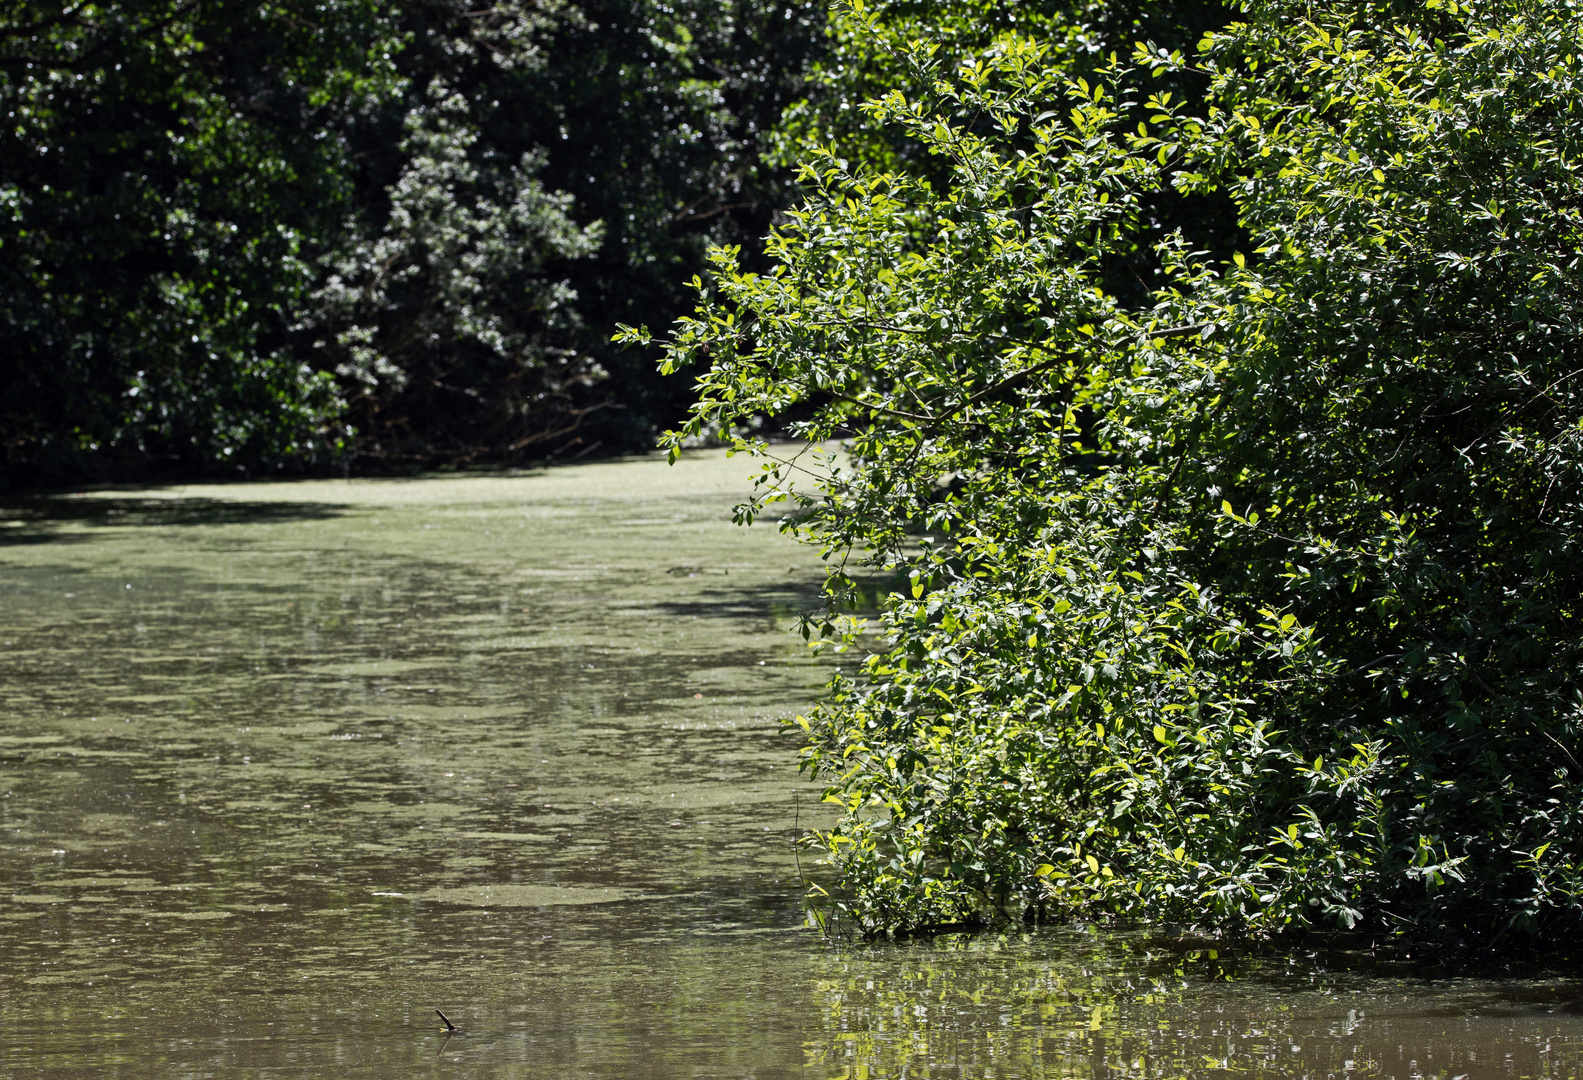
442	310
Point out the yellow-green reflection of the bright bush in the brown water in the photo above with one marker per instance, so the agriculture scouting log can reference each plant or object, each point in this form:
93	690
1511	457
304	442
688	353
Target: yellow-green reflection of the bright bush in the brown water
1112	1006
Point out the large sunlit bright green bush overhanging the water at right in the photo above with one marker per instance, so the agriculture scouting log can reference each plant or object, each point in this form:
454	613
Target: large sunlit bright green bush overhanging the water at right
1247	603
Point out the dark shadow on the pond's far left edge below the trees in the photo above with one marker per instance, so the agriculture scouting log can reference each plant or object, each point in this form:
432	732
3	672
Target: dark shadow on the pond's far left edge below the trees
40	519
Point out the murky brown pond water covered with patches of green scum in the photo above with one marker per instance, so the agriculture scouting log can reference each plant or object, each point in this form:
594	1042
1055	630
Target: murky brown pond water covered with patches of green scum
286	767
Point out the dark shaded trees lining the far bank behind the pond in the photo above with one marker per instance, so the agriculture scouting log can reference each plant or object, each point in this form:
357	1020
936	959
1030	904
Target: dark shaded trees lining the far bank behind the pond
305	237
